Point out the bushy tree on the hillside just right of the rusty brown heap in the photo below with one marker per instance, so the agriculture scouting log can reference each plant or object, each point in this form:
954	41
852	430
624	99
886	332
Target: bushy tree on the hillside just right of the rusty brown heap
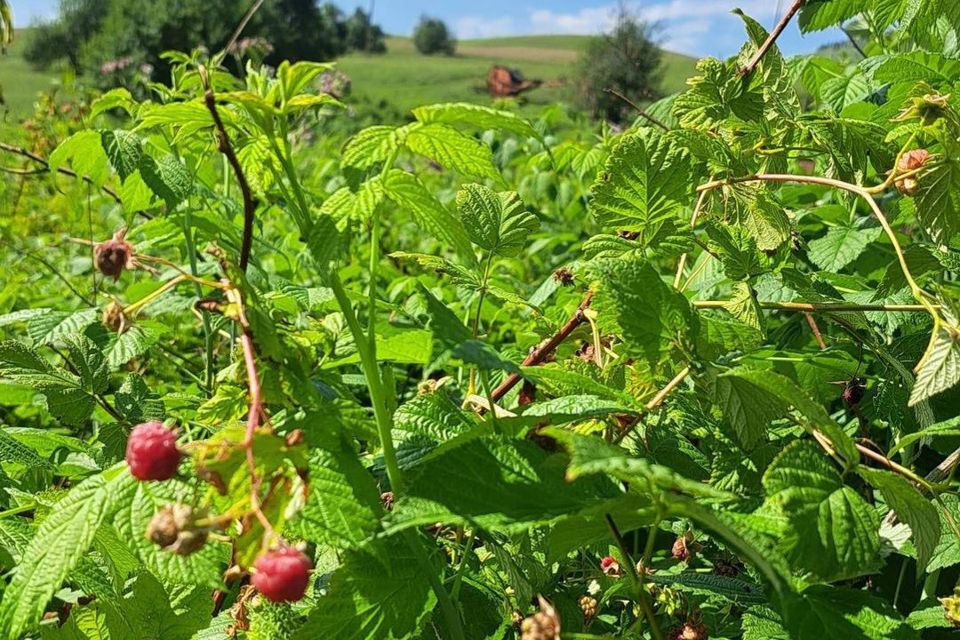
627	60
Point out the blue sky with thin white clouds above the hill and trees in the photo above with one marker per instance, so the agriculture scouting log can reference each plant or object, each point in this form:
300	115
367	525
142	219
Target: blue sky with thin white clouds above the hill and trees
696	27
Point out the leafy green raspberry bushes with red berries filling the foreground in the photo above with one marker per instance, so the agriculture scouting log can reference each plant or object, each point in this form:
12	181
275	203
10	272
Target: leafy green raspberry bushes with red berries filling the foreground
266	372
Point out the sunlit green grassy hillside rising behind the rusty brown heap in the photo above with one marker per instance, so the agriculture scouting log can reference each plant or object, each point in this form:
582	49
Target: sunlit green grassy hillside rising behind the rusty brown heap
403	79
